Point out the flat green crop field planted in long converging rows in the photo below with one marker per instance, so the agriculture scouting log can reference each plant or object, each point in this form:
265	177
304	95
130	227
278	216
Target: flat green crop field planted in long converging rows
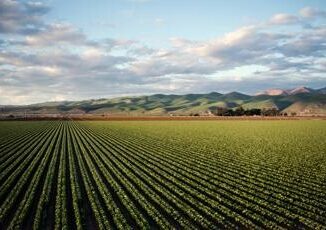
163	174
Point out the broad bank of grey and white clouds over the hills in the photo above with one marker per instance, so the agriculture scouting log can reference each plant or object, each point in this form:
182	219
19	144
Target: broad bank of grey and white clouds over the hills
44	61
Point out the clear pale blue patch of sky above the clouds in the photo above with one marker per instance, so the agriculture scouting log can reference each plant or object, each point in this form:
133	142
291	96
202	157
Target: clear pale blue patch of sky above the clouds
154	22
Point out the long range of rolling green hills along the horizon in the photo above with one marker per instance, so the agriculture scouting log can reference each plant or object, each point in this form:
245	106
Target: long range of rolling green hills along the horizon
299	101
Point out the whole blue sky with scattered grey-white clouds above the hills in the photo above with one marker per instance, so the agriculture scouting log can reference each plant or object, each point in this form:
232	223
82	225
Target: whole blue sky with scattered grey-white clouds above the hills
58	50
